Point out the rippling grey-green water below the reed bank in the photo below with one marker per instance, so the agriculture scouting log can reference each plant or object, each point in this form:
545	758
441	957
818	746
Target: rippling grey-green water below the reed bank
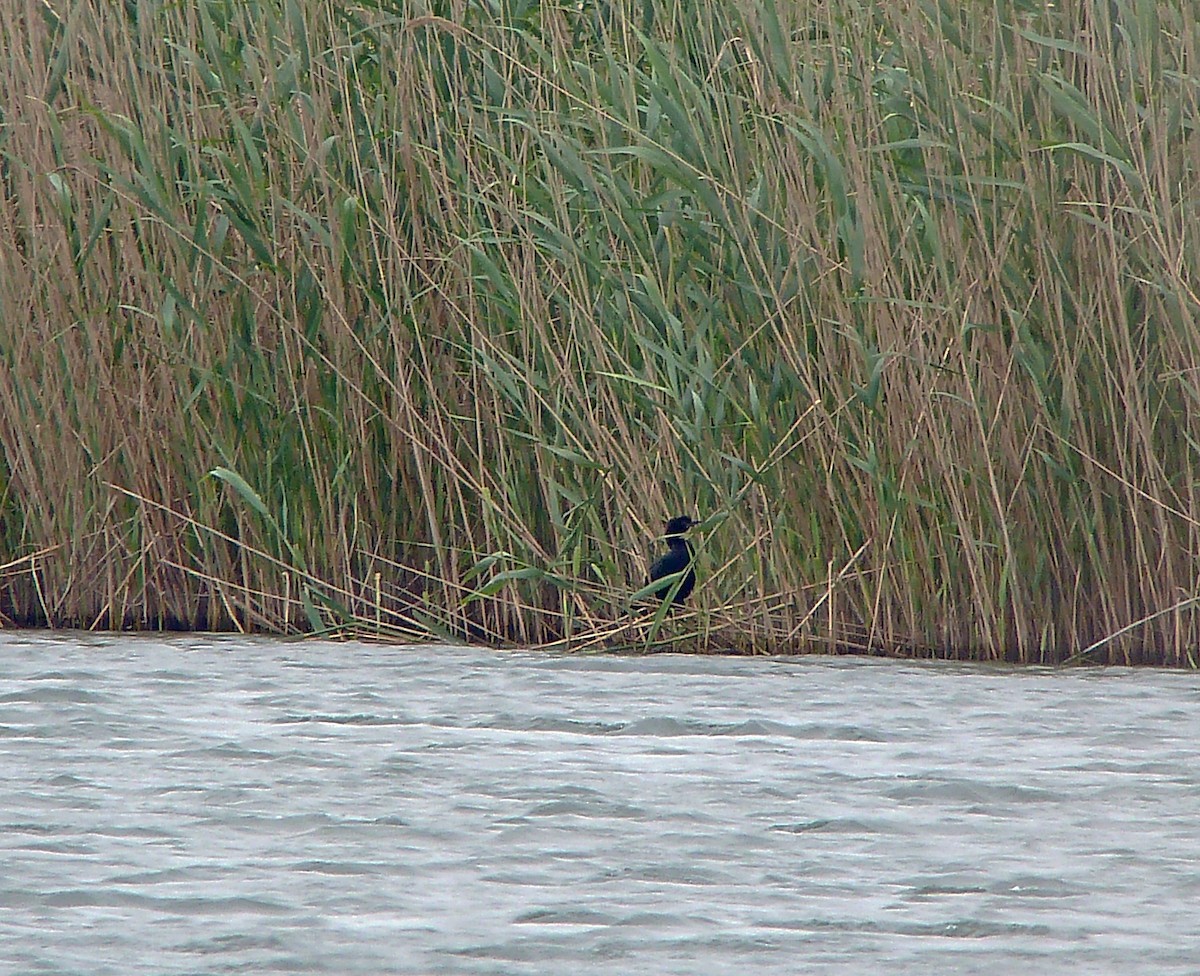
207	806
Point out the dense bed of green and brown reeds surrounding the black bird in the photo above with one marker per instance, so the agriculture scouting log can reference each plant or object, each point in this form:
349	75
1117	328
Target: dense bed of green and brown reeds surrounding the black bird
418	320
